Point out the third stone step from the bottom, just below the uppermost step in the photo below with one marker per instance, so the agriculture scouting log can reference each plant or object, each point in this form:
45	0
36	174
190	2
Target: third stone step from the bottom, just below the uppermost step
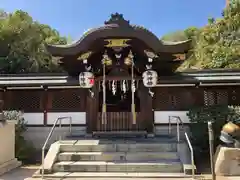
116	156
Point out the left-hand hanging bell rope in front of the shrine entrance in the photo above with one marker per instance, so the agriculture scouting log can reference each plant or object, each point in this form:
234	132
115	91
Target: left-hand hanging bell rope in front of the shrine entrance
104	107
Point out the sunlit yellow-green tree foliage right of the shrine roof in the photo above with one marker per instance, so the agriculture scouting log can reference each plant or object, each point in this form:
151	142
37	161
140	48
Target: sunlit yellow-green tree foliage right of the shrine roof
217	45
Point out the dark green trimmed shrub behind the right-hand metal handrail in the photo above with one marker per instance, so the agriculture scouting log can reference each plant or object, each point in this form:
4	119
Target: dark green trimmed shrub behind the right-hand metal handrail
199	116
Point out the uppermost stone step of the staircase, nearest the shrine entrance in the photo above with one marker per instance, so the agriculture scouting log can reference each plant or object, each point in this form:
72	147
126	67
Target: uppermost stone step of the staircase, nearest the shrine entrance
124	147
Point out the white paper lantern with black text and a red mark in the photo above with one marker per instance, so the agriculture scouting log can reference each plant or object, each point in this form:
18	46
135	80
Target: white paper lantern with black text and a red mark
86	80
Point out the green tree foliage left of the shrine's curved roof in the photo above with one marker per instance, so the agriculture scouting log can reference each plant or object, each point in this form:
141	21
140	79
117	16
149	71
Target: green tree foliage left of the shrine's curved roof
22	42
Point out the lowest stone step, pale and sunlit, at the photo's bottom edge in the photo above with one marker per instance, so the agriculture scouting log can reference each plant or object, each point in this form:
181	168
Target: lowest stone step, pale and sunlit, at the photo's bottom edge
110	175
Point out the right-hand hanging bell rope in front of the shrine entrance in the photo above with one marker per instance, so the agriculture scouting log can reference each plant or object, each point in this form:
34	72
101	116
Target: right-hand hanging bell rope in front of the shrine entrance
133	89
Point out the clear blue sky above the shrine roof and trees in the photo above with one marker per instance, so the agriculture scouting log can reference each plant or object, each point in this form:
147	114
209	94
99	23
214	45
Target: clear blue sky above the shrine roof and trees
73	17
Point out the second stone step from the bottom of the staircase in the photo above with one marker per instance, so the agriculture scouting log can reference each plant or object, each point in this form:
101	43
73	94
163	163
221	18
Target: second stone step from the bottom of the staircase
118	166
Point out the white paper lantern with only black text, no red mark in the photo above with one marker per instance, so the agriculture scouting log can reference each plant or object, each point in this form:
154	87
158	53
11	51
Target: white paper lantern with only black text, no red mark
150	78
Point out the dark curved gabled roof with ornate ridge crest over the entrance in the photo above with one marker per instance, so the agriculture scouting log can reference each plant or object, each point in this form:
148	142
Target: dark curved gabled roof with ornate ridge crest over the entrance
117	27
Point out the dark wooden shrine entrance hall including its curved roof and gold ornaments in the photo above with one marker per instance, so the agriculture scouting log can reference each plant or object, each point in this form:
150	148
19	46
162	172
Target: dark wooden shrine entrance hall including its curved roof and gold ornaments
117	54
